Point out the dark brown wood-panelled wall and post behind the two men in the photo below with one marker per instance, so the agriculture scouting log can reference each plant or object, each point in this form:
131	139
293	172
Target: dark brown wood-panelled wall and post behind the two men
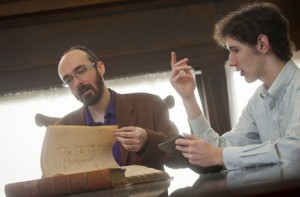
131	37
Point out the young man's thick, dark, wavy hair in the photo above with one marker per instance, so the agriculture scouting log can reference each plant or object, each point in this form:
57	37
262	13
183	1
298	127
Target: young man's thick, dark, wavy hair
251	20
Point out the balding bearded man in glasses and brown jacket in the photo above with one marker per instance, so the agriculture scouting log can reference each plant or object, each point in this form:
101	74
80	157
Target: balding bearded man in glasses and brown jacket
143	119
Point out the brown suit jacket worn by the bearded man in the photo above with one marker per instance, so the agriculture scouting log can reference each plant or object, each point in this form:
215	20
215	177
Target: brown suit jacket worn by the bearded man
141	110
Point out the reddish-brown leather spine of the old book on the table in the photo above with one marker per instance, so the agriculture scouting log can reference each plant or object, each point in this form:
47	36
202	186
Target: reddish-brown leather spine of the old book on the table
61	185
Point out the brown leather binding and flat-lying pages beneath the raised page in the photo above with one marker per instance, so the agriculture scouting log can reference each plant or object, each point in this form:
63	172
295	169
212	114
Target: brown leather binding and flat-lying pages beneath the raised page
74	183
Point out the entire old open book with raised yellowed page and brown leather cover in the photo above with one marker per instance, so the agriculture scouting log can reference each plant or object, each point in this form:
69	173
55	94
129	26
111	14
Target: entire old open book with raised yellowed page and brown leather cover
76	159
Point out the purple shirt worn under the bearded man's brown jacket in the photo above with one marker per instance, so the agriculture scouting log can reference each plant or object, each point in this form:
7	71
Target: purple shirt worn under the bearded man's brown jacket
110	118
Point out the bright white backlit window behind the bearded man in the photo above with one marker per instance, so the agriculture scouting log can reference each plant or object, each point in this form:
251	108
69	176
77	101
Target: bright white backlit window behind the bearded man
21	140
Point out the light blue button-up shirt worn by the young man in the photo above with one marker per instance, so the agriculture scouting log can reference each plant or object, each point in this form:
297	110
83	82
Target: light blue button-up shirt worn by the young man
268	130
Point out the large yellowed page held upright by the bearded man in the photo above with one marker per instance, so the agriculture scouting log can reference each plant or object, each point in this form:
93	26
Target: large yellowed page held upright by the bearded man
70	149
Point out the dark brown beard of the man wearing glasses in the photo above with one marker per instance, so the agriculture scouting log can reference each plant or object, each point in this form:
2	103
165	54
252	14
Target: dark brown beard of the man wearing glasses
95	93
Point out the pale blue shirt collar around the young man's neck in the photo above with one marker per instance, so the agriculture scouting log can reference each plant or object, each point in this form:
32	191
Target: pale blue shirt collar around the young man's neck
278	87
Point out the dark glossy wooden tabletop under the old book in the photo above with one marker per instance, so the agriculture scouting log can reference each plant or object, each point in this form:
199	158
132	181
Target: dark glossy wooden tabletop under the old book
271	180
